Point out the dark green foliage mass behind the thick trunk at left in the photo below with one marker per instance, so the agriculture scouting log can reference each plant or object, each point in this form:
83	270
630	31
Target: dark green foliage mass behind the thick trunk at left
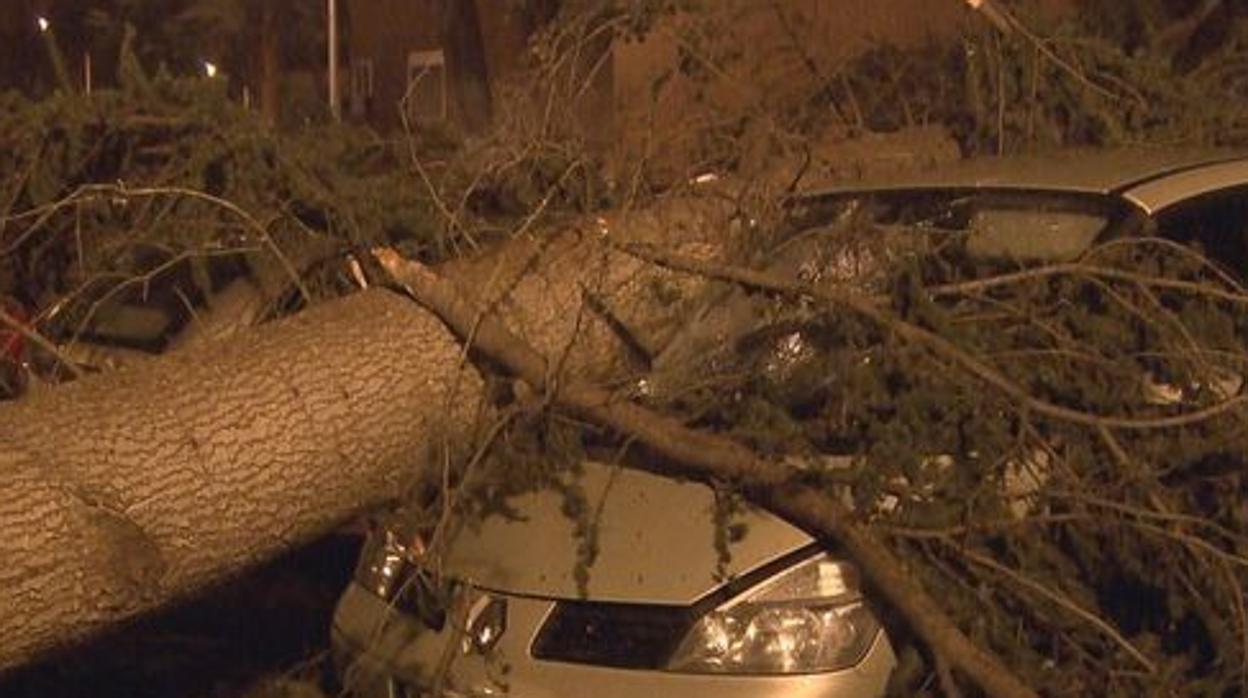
169	183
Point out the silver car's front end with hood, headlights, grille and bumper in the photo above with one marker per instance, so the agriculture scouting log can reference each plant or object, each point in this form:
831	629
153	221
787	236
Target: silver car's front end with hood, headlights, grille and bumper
658	614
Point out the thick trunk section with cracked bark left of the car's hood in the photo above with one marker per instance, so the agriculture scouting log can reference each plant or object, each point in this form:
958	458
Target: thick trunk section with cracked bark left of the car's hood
132	489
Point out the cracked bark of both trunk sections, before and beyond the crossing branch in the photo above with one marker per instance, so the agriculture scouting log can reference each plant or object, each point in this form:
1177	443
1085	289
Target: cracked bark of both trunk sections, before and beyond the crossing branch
132	489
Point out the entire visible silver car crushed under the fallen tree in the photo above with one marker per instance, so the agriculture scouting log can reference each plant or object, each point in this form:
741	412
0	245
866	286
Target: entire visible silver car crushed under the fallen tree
511	605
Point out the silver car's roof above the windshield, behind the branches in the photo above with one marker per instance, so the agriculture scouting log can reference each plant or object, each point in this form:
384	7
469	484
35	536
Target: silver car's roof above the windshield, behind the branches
1153	178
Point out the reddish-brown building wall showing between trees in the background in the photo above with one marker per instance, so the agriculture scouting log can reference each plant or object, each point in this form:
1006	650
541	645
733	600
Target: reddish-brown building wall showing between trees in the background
625	96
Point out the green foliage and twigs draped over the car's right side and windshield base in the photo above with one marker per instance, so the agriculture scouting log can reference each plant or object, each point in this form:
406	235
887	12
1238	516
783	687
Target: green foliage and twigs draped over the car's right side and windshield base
1016	516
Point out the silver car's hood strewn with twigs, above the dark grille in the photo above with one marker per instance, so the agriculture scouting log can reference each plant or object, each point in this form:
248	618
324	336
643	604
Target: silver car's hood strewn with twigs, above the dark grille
656	541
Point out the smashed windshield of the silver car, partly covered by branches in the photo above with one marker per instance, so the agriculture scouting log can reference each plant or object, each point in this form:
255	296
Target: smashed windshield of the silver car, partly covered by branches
798	355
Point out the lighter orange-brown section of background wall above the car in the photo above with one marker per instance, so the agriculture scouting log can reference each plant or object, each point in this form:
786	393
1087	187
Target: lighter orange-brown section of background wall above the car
759	53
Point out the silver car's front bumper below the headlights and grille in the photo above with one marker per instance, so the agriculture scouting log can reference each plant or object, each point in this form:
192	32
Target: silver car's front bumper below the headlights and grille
384	654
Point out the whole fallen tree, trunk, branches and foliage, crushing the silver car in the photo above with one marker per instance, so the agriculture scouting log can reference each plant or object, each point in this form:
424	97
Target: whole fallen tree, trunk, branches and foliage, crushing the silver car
110	513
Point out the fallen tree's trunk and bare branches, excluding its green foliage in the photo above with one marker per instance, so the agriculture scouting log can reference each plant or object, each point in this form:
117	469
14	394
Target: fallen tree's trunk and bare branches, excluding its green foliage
130	516
